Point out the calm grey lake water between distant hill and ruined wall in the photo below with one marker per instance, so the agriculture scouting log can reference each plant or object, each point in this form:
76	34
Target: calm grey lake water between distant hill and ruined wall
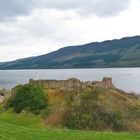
127	79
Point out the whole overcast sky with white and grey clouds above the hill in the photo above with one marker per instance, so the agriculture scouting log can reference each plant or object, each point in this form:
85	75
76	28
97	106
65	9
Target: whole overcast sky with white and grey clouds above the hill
34	27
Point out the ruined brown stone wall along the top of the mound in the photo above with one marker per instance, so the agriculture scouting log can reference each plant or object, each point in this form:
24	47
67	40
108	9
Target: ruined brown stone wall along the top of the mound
73	84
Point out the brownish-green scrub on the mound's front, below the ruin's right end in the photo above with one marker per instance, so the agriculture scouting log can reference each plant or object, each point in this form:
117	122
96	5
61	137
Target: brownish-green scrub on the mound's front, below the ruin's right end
92	114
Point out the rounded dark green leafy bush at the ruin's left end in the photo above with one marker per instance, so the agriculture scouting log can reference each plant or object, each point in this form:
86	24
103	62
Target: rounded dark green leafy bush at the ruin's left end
29	97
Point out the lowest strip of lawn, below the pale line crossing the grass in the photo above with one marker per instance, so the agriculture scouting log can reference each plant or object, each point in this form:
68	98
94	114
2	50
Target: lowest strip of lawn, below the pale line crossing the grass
14	132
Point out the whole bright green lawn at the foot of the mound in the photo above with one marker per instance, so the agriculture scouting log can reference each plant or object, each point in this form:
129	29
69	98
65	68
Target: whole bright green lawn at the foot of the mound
30	127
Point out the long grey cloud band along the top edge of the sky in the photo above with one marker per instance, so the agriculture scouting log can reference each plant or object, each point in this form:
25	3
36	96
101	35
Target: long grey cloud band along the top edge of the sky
13	8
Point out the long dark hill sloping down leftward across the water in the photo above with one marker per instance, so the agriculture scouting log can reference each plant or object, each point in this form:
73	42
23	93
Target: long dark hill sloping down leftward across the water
123	52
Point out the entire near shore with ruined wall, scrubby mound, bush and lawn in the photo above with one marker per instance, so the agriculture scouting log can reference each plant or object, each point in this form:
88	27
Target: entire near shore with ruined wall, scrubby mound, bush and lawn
74	108
